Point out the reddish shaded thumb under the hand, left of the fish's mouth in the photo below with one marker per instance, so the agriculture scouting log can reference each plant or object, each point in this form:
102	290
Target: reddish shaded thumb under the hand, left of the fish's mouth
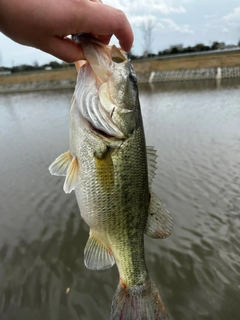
64	49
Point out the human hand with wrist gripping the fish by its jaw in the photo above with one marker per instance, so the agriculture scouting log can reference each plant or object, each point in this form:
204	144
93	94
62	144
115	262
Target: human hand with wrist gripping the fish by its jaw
46	24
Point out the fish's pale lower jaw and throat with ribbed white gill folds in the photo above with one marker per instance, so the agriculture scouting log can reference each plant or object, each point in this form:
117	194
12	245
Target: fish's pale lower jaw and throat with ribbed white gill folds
94	100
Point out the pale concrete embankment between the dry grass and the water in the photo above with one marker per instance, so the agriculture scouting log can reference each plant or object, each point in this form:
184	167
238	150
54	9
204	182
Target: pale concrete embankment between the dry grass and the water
143	77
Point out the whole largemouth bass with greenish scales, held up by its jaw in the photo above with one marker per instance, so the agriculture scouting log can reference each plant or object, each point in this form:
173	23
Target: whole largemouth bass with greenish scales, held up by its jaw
111	169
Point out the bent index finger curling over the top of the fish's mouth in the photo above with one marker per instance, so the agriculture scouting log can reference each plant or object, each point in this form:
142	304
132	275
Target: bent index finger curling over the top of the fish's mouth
105	20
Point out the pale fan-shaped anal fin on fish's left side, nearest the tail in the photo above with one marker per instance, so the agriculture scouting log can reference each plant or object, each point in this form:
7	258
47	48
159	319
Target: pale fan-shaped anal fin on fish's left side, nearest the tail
97	256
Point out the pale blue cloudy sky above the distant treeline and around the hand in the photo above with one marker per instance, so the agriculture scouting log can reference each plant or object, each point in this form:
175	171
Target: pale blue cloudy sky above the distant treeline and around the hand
186	22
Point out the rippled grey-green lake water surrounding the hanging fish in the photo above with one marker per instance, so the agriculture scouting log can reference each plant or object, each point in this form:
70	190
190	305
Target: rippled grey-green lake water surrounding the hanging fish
195	127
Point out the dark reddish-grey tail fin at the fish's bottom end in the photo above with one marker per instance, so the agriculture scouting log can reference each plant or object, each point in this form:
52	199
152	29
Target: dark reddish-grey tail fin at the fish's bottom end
138	303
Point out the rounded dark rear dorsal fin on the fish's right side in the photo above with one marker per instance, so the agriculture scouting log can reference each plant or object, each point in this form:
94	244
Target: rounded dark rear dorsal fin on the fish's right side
159	223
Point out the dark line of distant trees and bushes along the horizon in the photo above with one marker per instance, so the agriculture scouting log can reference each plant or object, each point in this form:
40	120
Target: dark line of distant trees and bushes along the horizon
176	49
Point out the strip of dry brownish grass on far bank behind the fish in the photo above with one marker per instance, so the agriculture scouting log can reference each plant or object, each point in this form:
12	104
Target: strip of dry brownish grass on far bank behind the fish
173	63
